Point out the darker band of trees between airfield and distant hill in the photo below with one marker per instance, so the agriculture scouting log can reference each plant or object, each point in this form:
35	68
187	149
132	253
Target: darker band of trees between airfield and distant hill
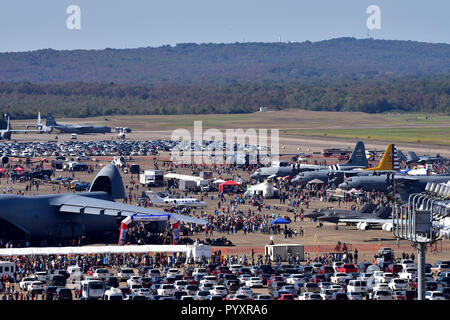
82	99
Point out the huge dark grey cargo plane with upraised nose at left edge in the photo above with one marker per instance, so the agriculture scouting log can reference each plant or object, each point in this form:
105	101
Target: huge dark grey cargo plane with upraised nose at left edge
73	215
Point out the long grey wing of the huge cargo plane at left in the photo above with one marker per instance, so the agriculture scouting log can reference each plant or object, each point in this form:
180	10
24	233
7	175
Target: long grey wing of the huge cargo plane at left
88	205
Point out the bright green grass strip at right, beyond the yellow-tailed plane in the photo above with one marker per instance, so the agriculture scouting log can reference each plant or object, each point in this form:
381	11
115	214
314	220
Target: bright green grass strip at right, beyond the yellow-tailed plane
433	135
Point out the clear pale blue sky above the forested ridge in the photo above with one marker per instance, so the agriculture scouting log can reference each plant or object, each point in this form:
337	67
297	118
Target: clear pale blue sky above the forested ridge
31	25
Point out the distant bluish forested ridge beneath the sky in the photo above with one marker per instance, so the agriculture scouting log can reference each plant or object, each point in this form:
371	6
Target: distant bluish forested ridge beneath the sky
347	58
